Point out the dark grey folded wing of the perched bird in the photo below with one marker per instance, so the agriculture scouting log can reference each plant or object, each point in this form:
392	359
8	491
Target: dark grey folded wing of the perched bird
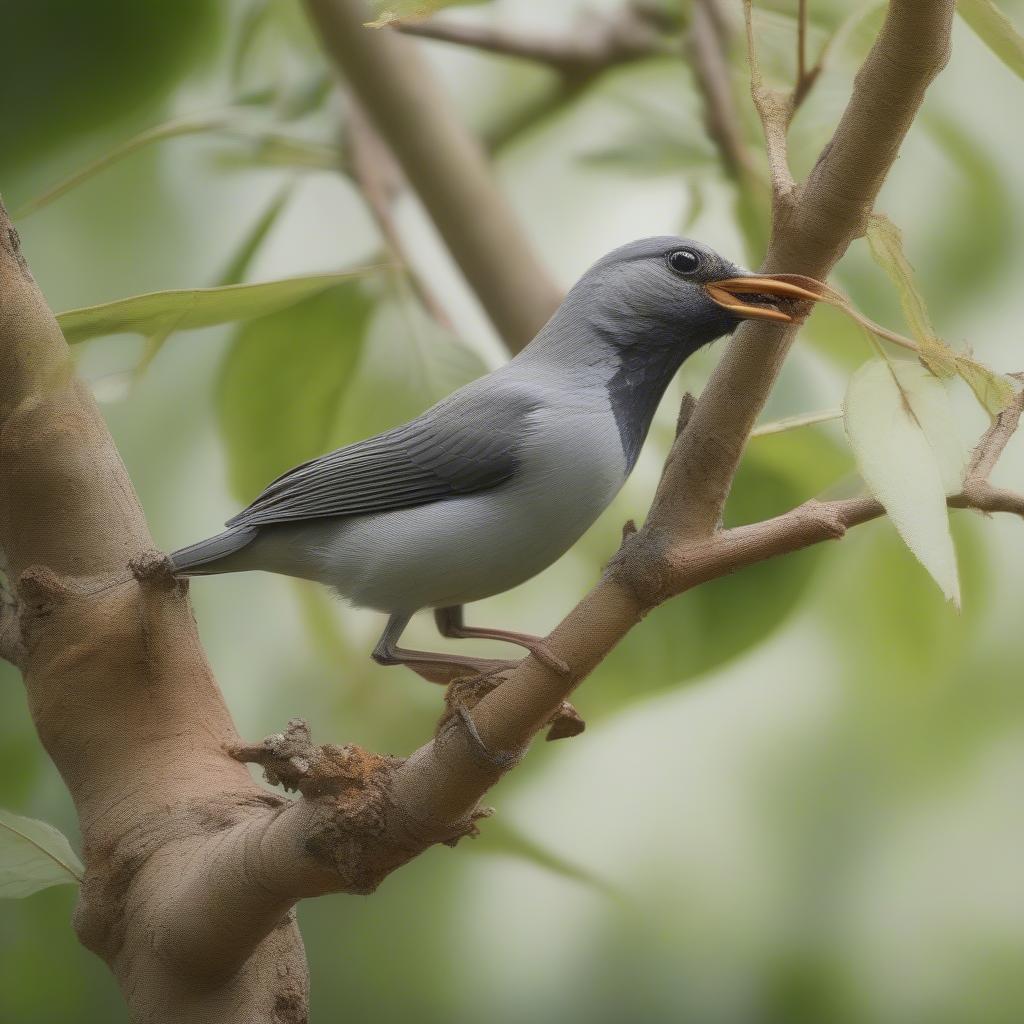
466	443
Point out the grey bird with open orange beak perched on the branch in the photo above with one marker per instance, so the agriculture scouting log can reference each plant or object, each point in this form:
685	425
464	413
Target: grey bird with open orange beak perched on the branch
495	483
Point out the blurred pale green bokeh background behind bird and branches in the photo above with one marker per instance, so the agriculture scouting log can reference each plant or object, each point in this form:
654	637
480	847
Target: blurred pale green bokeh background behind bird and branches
799	795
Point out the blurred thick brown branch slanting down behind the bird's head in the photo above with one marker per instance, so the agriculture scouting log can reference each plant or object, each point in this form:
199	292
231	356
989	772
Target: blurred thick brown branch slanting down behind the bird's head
445	165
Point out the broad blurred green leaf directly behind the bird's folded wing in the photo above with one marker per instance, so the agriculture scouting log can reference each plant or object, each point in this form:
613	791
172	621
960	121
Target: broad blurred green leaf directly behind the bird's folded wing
283	381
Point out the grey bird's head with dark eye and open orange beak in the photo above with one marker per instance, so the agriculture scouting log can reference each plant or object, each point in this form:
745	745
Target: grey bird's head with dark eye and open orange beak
669	292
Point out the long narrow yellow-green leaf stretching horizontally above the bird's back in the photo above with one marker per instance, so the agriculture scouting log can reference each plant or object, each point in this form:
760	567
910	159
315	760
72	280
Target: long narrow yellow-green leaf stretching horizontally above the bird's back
189	310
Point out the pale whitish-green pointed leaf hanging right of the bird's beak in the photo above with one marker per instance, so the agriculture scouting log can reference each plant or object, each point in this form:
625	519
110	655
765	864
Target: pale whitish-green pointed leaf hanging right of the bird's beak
899	421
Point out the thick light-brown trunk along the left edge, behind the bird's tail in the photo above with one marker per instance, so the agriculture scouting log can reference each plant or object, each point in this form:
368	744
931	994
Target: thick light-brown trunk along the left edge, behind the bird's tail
118	687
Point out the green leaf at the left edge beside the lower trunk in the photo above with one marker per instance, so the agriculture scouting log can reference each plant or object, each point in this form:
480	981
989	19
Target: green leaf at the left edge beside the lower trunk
33	857
